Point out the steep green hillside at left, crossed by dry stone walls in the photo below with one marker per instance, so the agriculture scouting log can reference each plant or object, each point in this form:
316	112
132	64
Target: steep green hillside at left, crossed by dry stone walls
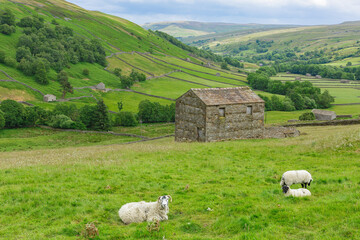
170	70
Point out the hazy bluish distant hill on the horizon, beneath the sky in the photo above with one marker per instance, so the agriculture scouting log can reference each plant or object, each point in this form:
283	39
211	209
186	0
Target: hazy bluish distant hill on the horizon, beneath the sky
189	29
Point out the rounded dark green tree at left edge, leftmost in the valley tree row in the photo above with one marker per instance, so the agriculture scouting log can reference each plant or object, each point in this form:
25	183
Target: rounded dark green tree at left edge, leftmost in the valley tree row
14	113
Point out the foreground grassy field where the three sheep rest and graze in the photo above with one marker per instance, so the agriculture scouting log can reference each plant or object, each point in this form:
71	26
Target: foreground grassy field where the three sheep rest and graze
54	193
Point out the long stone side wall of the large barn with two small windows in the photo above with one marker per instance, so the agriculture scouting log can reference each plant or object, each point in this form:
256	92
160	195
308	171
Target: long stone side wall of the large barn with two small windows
236	124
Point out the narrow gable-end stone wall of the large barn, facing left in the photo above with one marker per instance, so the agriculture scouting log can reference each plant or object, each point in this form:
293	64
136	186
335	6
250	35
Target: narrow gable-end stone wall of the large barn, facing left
190	119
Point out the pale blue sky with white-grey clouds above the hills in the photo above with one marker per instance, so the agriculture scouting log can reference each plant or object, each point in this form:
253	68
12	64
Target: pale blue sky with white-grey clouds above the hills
304	12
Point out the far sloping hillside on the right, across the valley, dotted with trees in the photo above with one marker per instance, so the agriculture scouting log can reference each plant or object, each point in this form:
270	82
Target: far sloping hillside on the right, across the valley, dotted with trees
326	43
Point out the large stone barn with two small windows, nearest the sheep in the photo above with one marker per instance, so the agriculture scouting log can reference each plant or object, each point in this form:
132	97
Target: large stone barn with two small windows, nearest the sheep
214	114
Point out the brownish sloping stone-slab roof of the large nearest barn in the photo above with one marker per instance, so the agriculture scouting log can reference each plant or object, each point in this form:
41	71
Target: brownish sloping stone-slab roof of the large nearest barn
222	96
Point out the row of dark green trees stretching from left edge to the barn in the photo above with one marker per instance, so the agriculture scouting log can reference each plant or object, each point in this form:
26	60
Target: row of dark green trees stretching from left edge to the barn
88	117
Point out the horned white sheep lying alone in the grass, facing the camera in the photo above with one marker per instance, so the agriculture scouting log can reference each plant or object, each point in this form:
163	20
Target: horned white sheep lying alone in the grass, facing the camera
145	211
